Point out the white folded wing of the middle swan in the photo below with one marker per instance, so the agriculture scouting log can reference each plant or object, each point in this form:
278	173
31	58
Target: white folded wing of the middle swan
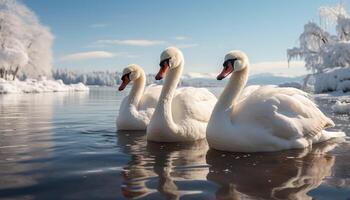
193	103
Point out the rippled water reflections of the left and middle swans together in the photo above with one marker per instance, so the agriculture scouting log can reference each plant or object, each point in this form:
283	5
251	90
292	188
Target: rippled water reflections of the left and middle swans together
163	170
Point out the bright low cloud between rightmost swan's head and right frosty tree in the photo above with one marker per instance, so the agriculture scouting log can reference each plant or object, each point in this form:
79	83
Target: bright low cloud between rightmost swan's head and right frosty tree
295	68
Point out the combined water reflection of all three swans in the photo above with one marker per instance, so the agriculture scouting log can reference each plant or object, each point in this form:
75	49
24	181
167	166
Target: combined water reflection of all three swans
177	170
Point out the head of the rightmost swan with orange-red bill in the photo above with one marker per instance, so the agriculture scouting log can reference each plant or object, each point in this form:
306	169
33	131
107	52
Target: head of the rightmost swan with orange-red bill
234	61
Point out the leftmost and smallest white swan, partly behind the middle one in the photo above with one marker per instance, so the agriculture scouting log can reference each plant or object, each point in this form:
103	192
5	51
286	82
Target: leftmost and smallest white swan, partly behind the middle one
137	108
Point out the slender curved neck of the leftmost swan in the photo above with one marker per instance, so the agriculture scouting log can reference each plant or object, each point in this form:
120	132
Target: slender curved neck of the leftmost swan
137	90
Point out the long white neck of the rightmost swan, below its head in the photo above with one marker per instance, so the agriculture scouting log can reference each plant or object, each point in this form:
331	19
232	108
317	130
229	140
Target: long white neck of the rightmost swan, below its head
233	89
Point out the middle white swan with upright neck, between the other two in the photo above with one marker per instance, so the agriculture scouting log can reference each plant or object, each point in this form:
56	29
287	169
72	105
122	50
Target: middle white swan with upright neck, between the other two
182	114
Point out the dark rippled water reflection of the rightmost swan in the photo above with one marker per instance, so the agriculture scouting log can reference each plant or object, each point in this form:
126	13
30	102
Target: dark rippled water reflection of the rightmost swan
279	175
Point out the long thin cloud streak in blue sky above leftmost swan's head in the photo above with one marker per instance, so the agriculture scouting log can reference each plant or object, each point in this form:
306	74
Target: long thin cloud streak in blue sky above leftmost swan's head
135	42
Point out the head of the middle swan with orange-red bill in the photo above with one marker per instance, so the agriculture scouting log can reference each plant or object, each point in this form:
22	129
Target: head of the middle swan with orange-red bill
170	59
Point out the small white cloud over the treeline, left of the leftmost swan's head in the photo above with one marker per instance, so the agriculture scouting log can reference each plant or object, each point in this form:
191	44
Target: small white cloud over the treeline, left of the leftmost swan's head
87	55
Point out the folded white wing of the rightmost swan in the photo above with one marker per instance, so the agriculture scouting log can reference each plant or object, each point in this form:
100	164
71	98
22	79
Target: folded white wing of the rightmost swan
286	112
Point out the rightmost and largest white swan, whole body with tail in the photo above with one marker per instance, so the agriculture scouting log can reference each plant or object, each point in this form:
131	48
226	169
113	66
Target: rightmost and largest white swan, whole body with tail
263	118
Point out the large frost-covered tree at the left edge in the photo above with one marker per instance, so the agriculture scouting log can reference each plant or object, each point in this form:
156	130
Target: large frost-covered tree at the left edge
25	44
